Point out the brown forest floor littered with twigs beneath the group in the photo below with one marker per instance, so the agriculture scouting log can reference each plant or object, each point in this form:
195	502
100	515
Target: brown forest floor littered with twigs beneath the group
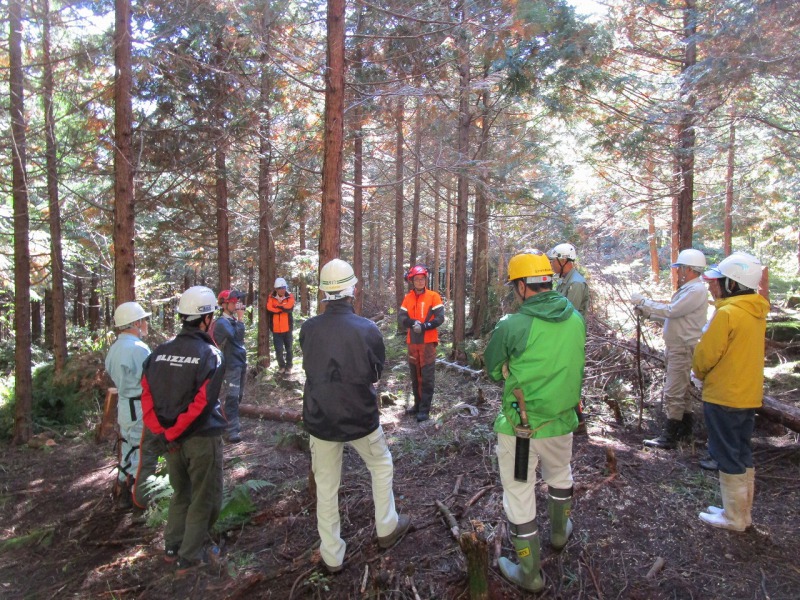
62	537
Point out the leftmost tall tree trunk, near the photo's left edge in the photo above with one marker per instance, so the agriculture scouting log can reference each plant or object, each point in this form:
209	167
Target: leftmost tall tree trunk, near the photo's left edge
22	258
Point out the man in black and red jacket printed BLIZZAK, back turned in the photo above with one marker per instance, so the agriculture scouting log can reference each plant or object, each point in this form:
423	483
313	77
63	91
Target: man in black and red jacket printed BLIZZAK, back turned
180	400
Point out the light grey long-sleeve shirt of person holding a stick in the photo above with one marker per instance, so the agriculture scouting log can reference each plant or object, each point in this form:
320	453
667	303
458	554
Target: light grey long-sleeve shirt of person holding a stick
685	314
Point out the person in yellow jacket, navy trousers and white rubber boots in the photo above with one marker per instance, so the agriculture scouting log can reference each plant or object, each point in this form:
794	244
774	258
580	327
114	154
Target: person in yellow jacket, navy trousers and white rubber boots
729	363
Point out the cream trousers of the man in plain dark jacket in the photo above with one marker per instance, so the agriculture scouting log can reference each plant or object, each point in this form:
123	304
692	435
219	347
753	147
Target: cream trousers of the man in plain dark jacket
326	463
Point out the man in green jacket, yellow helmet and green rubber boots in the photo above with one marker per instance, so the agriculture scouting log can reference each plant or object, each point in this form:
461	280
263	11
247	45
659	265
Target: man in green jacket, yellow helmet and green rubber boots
540	352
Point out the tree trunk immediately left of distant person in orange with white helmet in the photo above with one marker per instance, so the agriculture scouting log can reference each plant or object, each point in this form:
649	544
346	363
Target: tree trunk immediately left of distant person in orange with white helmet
266	243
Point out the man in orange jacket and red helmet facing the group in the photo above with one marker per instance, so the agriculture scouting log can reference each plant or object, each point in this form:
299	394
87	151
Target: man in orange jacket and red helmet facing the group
422	312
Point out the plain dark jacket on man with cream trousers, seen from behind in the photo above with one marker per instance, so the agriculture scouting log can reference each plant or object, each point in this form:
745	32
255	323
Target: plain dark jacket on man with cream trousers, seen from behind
343	357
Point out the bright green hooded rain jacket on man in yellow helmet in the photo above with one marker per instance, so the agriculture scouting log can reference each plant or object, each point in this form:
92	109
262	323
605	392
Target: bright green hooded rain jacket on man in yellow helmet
544	346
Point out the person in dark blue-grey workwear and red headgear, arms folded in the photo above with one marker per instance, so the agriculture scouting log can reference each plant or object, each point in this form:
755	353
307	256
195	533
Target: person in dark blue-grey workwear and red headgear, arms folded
228	334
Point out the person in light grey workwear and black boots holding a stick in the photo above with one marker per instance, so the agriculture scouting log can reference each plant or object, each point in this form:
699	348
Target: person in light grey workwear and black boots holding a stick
684	317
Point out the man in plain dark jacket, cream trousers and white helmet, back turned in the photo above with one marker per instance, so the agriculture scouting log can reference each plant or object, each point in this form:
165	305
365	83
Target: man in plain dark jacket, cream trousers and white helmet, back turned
343	357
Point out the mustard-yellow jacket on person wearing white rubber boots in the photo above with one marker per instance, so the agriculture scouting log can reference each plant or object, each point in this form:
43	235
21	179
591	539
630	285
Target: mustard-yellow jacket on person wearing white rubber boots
730	356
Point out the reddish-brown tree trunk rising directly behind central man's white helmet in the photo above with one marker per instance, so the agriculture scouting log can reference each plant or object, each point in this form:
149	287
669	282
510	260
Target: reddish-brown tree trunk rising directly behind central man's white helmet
330	224
